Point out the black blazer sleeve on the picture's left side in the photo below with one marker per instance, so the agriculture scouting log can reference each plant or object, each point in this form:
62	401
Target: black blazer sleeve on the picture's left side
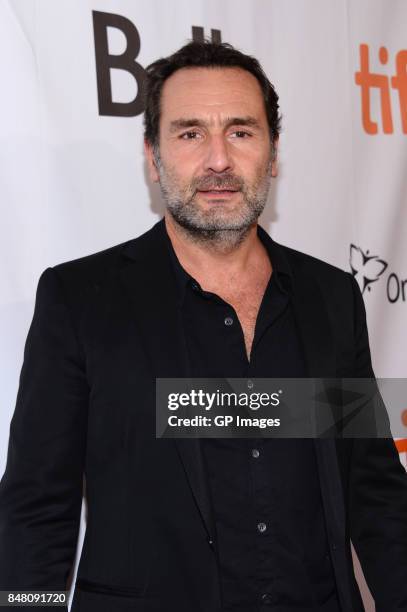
41	489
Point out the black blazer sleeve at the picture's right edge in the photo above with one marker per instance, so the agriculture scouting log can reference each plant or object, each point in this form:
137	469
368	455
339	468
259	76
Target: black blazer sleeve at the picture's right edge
378	497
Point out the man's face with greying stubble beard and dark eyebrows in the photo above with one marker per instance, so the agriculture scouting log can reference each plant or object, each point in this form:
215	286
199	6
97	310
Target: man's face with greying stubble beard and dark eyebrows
215	156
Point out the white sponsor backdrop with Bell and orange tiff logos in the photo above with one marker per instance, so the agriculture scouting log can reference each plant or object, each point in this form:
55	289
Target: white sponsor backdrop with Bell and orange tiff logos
73	178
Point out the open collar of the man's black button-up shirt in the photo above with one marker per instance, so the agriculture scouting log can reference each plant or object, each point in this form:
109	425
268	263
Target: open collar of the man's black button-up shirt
282	273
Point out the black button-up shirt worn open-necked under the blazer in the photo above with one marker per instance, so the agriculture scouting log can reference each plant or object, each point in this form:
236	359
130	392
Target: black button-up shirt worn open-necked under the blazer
271	536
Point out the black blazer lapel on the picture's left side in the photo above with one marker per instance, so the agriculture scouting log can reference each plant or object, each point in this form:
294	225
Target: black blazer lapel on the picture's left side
149	281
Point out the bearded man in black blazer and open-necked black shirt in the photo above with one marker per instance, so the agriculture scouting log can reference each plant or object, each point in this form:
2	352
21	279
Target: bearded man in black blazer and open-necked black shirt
197	524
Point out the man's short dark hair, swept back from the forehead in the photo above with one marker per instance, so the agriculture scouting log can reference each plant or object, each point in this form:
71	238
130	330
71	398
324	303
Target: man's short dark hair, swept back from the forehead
205	54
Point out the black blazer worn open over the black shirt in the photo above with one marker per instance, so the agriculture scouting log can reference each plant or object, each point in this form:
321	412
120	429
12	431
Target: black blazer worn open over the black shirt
104	327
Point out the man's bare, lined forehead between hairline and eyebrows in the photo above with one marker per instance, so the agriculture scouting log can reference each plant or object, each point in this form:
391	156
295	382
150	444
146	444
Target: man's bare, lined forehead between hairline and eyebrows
206	91
